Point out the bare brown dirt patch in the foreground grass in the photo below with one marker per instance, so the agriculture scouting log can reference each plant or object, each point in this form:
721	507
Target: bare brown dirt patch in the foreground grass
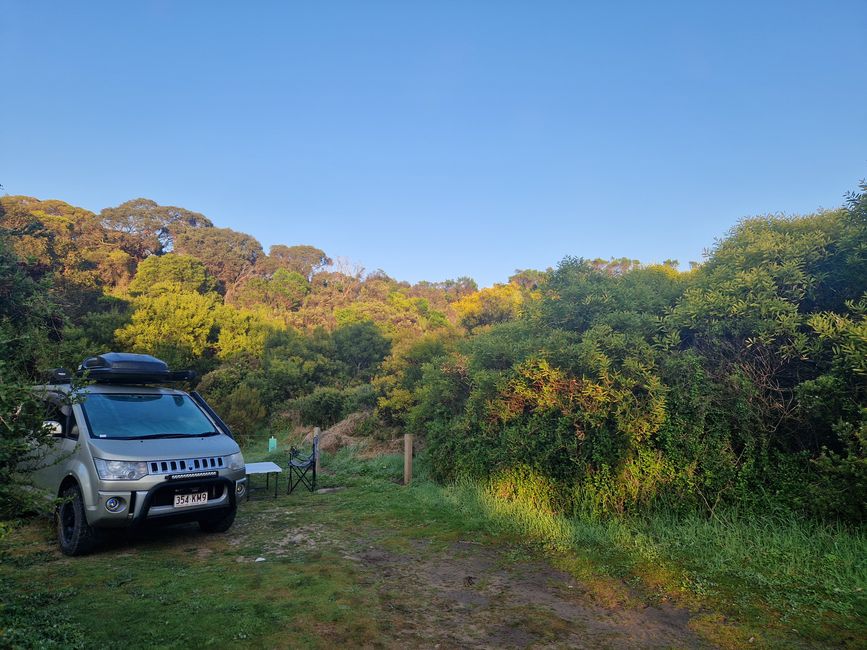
471	596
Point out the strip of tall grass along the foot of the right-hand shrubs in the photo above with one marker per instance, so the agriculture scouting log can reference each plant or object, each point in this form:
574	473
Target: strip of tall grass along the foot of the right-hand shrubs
804	571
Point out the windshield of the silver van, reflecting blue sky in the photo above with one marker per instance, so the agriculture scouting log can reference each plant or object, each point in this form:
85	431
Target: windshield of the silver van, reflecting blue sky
145	416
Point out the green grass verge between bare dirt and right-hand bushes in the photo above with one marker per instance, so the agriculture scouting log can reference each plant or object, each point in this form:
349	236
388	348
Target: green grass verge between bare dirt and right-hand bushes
783	575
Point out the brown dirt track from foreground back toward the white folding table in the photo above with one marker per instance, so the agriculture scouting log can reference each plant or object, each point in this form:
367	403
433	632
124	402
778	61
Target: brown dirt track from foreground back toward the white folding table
472	595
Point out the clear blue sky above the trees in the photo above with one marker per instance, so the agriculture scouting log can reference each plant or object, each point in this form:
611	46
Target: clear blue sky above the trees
445	138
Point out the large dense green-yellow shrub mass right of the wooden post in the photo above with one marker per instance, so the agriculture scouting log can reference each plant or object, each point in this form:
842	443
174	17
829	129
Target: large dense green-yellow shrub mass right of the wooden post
626	387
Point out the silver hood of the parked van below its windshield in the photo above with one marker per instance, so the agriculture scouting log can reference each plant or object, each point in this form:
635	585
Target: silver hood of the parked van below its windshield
163	449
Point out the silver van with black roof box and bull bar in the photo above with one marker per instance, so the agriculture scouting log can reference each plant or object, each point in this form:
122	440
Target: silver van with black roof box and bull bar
130	451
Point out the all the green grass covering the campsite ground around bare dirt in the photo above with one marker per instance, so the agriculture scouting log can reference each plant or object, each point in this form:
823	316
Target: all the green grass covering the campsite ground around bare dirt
780	583
